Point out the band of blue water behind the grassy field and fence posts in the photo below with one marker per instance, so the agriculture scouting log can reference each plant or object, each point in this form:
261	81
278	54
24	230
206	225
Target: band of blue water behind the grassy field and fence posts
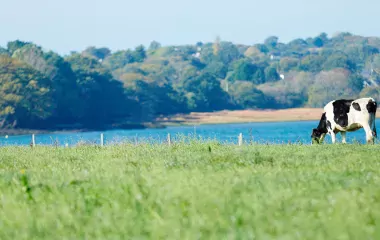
274	133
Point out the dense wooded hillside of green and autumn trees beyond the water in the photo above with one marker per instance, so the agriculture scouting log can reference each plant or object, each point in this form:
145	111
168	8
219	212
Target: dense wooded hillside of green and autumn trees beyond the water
98	88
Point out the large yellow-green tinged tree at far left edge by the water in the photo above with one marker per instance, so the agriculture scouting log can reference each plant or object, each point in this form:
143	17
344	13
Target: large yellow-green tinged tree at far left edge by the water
25	95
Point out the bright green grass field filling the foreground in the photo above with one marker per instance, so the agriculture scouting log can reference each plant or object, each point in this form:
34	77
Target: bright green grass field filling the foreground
190	191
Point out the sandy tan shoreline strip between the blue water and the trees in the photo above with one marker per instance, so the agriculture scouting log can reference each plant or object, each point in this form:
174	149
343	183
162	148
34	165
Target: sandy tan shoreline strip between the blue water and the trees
198	118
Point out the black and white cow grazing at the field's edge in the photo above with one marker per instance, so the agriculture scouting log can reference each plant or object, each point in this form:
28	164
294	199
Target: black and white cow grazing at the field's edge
346	116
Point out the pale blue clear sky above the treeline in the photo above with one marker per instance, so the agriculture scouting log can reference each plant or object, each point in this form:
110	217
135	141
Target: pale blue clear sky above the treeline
68	25
